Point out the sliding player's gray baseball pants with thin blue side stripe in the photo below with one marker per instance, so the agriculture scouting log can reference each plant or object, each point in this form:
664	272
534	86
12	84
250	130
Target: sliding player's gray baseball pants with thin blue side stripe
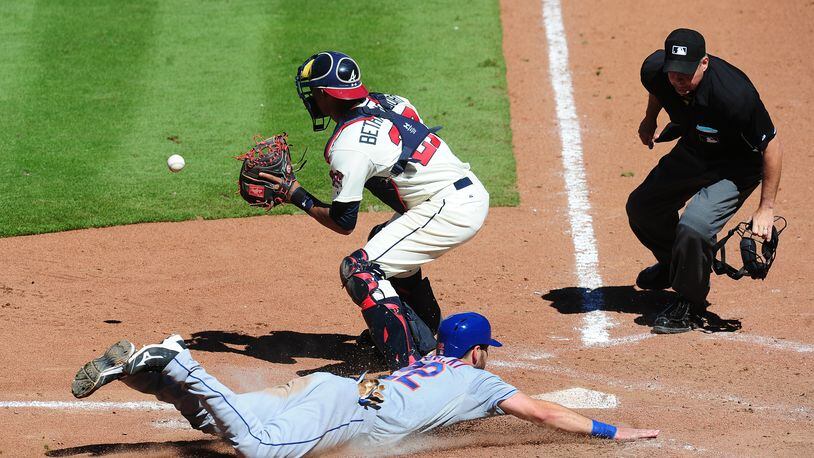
310	414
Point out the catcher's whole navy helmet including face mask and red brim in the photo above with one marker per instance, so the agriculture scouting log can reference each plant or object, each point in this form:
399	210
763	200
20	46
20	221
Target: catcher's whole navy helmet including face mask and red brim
336	73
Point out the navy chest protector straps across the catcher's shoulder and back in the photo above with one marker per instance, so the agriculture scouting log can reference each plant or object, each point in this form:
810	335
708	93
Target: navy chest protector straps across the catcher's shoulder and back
412	131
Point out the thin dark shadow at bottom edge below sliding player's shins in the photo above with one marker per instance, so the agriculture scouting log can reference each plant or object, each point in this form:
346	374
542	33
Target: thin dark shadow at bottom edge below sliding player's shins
195	448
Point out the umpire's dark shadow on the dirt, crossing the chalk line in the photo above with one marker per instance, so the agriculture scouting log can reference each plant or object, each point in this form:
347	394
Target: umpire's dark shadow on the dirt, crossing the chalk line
627	299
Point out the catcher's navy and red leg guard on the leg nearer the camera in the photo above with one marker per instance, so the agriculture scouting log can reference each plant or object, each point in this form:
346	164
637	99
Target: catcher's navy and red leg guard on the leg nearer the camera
385	315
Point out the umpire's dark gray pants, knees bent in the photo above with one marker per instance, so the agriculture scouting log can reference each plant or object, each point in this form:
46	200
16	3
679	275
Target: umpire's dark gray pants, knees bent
718	186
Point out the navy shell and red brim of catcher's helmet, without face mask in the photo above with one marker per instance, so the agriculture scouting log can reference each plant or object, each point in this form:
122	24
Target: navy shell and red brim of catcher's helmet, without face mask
335	73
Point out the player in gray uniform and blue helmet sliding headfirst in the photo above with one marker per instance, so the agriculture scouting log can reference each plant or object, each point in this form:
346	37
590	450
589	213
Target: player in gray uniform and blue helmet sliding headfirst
322	411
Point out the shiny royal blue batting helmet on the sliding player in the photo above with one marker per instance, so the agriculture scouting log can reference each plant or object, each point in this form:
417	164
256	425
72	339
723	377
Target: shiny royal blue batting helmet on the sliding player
458	333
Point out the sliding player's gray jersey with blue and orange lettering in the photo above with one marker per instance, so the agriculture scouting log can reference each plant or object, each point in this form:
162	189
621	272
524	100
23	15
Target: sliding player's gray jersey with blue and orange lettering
436	391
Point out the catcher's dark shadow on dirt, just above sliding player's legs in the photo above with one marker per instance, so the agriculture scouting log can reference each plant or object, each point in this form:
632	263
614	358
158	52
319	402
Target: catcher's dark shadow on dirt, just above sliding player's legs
284	347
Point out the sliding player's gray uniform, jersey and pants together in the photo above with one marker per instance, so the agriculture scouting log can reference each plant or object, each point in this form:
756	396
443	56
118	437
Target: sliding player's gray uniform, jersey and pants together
322	411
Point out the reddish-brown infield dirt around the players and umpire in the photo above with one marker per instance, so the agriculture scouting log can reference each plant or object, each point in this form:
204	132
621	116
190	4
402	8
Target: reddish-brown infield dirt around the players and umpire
65	297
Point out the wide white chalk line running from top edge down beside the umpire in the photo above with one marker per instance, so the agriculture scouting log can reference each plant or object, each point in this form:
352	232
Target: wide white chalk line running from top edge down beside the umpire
595	323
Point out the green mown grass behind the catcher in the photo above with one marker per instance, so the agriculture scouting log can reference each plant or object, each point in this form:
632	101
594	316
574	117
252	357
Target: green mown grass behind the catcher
96	94
